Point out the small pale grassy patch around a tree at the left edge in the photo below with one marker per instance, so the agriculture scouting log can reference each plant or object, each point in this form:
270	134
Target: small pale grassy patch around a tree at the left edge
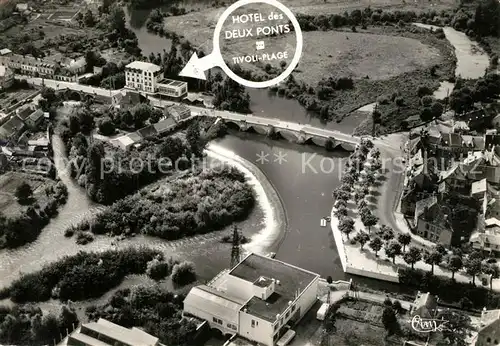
8	184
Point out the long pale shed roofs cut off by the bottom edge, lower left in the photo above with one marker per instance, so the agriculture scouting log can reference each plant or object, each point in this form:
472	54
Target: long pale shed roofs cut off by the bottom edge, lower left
105	333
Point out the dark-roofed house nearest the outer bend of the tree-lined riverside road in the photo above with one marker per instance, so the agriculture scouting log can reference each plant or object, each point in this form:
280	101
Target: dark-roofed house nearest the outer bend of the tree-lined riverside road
431	221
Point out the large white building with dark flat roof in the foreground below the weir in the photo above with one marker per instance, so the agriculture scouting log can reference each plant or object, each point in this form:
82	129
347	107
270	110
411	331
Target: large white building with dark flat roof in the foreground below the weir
260	299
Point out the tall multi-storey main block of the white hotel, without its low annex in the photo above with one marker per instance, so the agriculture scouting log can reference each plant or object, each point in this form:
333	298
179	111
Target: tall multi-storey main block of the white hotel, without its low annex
142	76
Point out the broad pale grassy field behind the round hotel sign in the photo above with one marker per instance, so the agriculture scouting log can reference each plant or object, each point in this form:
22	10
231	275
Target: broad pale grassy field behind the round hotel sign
370	53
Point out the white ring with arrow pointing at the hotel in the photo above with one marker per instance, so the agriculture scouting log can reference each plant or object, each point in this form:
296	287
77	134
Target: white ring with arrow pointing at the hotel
196	67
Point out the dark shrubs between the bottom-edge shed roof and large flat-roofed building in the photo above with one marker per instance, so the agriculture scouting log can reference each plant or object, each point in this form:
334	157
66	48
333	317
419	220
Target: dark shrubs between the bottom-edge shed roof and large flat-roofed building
157	312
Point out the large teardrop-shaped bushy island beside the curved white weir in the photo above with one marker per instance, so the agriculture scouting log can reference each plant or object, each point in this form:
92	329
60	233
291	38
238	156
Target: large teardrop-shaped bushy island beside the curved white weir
198	202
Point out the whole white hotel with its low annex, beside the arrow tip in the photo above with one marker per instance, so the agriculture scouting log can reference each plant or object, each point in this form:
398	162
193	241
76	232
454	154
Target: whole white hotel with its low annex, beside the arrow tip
148	77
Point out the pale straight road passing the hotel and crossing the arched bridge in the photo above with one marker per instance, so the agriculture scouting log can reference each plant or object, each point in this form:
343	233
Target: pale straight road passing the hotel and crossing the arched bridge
249	118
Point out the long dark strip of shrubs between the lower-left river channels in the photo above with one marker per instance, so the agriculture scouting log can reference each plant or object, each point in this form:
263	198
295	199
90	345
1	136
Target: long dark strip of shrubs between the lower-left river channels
82	276
